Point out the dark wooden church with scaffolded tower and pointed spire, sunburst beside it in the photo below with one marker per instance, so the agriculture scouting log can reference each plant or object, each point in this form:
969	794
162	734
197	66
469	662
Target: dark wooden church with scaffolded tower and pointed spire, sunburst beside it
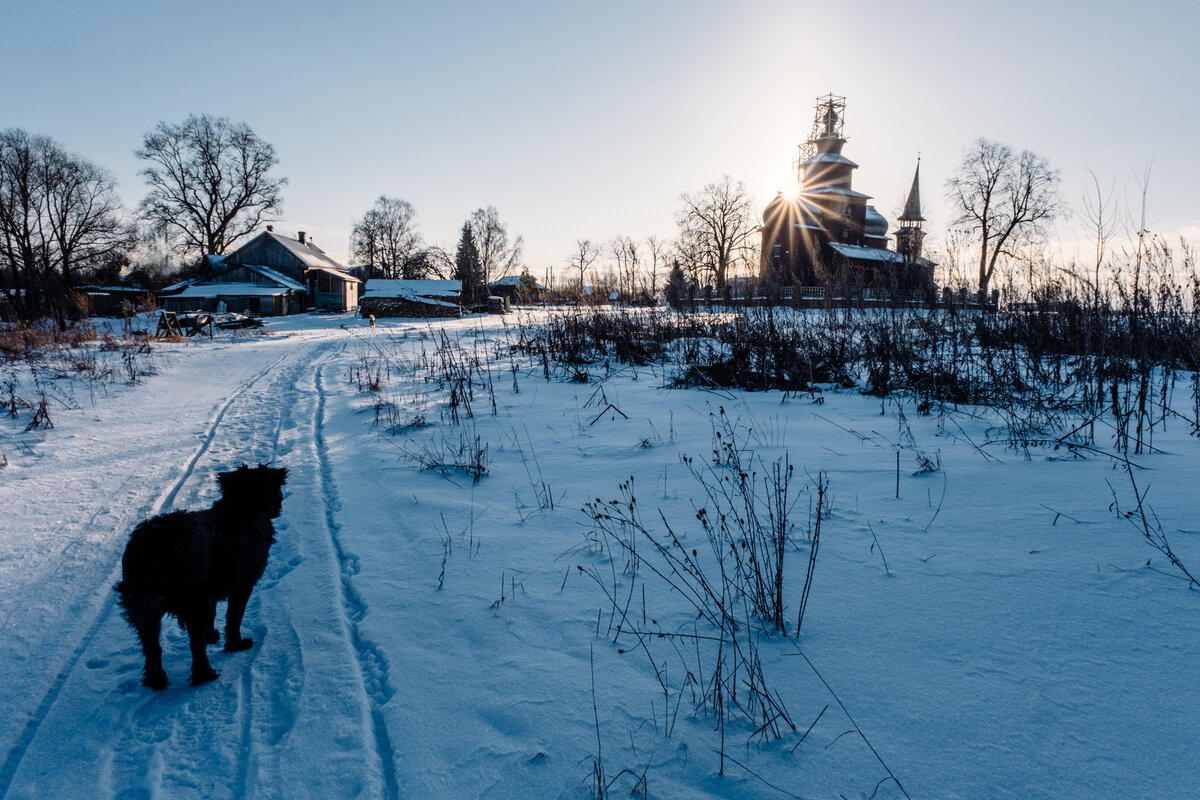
829	234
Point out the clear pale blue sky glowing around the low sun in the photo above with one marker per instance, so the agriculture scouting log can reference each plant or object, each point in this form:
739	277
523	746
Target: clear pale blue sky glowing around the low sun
589	121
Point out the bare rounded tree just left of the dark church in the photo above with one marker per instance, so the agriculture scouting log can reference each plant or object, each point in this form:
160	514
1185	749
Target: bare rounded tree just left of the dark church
718	227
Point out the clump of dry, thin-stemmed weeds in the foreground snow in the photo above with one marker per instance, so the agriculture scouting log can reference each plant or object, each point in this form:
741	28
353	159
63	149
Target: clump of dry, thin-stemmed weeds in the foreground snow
731	597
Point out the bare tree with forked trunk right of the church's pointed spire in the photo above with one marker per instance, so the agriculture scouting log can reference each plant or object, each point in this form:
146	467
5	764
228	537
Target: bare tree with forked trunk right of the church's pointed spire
1004	199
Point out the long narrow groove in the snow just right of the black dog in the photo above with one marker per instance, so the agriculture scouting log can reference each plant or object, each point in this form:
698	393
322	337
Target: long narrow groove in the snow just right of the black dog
373	663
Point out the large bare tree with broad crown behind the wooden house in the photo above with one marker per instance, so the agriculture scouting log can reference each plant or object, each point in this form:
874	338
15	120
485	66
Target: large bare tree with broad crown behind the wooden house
211	183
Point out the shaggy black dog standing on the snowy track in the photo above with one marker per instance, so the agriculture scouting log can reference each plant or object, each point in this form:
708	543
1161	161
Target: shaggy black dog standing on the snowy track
185	562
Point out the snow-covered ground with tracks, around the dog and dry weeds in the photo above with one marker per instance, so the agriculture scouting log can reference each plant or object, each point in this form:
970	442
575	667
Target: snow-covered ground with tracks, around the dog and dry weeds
999	630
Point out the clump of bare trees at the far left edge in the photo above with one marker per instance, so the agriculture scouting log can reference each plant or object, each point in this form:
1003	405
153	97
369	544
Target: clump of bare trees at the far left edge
59	214
